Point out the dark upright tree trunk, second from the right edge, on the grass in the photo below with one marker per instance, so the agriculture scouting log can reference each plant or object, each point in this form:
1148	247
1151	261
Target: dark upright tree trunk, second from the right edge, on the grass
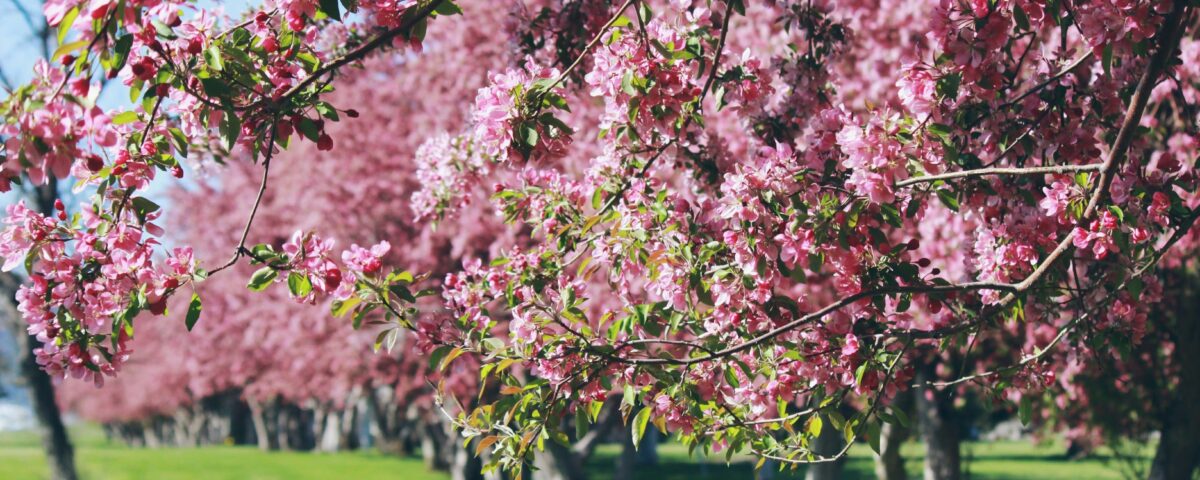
939	427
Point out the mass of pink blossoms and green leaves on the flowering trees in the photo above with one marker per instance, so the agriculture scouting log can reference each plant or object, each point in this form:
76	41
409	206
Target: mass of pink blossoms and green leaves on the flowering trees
751	223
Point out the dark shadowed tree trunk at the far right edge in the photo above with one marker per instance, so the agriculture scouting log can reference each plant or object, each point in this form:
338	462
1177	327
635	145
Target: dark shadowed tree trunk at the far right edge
1179	448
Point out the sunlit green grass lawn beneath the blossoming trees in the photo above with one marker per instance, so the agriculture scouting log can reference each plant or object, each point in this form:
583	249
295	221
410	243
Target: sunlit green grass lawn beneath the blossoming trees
21	459
